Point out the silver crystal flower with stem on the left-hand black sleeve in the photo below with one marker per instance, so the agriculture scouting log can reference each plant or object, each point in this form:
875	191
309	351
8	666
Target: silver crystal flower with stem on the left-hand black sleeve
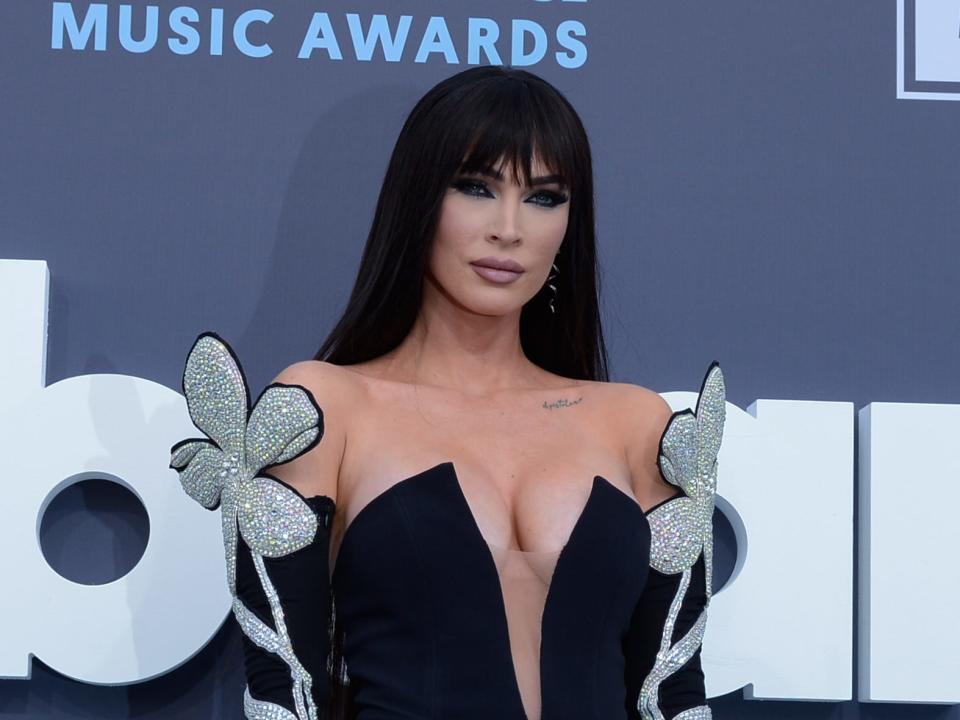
222	470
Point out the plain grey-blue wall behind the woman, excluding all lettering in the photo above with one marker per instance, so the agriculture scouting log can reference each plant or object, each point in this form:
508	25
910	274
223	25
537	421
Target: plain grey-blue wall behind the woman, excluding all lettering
763	199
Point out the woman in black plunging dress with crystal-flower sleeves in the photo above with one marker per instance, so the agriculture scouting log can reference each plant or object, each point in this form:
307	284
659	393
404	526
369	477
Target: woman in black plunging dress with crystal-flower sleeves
463	518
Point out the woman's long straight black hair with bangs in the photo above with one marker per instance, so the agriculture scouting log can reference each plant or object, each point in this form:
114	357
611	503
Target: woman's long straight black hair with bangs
467	122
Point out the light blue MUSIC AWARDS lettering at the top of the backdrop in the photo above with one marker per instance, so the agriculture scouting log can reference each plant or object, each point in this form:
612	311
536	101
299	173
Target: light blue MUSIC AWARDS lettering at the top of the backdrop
322	36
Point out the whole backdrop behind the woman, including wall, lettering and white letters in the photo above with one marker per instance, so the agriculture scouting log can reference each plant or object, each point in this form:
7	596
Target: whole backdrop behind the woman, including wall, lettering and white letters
777	188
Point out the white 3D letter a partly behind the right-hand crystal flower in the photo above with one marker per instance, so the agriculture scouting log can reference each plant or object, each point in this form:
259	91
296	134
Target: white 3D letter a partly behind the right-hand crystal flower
782	626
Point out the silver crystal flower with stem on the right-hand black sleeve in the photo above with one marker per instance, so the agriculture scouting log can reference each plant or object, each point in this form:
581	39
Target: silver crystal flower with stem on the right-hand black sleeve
681	529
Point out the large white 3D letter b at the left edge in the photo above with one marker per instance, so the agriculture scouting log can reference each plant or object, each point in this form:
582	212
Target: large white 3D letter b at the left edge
170	604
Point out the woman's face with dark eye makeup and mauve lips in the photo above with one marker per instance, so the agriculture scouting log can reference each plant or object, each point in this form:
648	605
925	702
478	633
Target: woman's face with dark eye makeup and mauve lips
487	217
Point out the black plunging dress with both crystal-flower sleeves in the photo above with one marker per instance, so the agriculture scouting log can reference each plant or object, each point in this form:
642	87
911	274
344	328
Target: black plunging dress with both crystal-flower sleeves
416	621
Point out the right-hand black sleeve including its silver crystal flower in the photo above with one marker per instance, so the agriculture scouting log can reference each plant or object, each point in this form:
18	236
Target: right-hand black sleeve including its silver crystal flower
662	646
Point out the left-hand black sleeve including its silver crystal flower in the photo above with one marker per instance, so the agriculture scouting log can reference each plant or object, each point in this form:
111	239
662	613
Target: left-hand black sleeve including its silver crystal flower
276	542
